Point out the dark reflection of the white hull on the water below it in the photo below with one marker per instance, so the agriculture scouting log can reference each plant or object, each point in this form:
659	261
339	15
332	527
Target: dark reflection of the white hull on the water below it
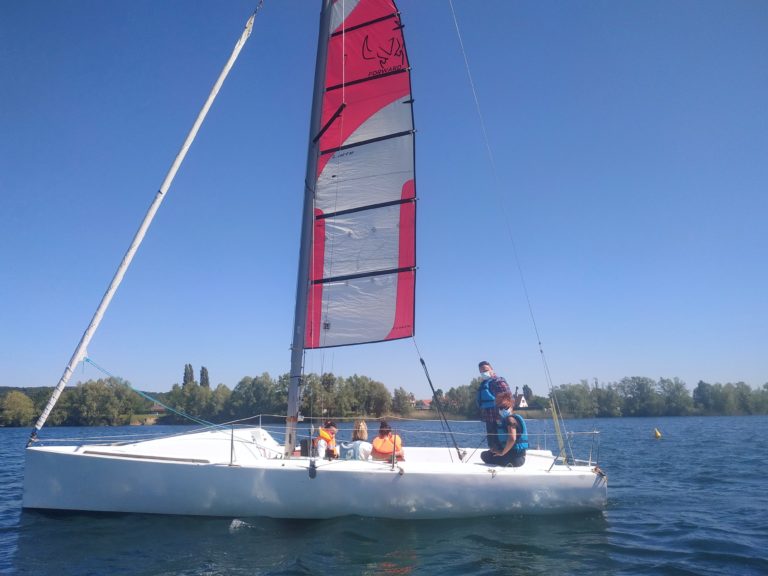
152	545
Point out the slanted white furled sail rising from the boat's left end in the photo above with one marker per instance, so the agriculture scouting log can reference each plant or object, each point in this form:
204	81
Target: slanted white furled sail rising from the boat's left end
81	349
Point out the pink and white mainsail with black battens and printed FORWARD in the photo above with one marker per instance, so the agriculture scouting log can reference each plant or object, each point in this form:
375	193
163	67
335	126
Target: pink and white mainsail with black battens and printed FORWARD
362	266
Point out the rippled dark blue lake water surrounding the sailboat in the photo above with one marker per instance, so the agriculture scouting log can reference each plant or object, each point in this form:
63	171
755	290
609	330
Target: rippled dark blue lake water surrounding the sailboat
694	502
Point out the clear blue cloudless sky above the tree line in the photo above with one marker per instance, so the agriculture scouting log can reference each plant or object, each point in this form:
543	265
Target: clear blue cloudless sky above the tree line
631	150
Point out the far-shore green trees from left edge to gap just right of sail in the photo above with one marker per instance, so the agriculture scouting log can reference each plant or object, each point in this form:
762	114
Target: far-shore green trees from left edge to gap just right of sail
113	402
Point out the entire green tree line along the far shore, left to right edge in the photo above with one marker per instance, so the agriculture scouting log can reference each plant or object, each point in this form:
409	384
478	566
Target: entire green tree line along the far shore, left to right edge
112	401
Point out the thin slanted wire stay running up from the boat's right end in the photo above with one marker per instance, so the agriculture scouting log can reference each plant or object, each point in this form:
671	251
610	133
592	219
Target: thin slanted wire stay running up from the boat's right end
508	227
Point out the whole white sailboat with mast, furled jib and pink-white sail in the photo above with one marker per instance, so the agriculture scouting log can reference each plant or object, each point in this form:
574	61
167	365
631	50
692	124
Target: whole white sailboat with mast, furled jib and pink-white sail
356	284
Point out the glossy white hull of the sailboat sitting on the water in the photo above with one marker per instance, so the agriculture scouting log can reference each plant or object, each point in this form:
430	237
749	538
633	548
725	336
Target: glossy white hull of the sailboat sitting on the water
215	474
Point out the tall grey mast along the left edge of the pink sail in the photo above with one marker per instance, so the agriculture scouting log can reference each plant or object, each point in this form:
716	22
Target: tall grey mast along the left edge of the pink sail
302	282
